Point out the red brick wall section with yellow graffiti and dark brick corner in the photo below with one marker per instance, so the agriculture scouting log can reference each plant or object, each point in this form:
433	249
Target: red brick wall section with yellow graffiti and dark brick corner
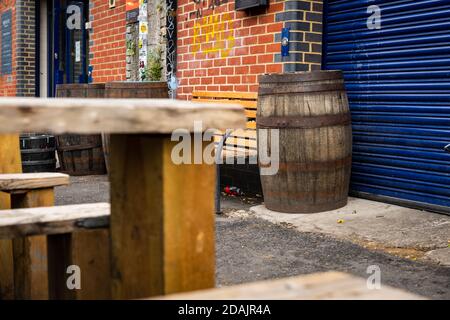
222	49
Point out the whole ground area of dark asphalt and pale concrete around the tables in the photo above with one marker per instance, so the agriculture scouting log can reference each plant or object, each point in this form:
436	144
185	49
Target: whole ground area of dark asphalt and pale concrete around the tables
254	244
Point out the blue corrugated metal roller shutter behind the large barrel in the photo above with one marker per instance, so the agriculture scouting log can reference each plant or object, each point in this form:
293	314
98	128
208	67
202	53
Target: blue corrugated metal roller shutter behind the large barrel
398	82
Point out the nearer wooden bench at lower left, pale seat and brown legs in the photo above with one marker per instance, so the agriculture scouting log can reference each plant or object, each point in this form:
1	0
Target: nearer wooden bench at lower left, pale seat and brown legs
71	237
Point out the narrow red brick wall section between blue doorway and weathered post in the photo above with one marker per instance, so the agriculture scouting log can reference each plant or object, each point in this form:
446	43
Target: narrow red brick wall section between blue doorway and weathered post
107	50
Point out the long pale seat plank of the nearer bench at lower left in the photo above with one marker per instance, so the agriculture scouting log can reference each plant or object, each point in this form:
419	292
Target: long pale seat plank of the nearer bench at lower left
53	220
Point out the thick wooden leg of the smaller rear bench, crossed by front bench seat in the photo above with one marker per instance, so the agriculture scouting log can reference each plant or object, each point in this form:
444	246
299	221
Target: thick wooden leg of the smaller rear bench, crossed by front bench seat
30	253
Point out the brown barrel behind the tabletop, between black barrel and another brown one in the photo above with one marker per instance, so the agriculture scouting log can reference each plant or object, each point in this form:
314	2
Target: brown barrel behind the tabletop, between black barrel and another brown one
81	154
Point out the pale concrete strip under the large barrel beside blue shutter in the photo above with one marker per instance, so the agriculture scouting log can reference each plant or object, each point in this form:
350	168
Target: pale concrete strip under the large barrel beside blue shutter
410	233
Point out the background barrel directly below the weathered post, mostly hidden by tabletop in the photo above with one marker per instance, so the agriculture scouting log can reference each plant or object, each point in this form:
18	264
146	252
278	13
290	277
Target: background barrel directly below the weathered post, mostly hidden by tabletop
132	90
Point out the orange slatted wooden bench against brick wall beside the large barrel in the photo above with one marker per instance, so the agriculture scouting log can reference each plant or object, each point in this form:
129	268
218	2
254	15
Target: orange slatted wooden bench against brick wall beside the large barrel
242	142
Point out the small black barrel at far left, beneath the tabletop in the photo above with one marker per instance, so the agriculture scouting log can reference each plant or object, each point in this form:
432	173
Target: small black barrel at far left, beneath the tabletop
38	153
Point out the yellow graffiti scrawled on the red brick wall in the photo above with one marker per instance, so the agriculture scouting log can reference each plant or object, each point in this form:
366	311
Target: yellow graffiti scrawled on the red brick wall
214	33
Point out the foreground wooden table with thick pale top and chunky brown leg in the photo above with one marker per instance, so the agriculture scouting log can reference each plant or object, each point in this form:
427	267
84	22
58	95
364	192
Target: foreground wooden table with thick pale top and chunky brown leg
162	214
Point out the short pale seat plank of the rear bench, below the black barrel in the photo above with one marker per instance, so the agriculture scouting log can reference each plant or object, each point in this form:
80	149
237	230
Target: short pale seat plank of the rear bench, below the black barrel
27	181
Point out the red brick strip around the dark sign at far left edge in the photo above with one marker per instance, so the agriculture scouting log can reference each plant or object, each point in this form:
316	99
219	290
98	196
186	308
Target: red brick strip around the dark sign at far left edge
8	82
